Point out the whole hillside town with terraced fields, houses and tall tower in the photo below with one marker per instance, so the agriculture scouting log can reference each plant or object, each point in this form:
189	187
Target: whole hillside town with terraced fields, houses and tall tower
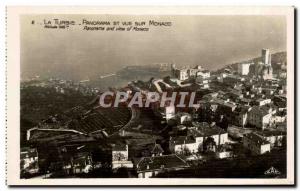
239	123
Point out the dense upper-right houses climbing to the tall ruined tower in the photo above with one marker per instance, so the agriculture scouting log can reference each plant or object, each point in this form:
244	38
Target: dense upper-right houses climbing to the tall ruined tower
250	96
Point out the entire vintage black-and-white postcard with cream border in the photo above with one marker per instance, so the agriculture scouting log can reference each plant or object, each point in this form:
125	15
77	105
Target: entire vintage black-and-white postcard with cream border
150	96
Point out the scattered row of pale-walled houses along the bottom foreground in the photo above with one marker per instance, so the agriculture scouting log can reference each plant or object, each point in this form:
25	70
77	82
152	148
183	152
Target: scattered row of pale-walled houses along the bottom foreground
186	143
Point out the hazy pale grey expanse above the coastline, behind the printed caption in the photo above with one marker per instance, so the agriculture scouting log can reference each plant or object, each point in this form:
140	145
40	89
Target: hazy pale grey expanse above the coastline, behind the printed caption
209	41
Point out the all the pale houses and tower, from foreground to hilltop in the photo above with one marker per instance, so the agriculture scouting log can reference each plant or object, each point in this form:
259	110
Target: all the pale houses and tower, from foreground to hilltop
248	98
